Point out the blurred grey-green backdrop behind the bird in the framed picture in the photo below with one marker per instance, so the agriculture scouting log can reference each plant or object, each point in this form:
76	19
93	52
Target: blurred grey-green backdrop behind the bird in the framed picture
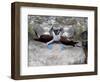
75	27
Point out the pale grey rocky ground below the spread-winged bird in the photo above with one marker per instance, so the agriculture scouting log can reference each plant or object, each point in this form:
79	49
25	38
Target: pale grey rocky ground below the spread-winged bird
40	55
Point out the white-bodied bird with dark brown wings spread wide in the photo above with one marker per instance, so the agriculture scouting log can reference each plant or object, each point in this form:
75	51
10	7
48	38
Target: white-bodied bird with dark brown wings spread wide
57	35
